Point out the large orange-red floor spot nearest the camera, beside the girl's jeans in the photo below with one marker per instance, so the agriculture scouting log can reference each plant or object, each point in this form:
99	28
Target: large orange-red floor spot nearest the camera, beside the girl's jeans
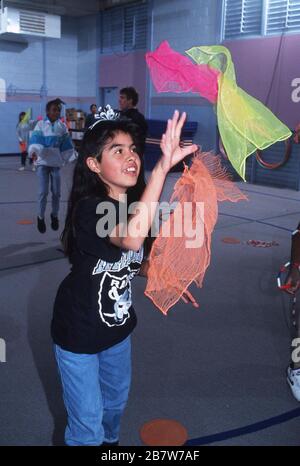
163	432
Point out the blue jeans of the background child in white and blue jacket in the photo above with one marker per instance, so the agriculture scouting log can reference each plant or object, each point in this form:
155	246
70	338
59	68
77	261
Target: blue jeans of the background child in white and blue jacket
44	173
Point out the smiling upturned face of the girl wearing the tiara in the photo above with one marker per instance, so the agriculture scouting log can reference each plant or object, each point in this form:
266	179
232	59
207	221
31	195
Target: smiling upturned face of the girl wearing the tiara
120	164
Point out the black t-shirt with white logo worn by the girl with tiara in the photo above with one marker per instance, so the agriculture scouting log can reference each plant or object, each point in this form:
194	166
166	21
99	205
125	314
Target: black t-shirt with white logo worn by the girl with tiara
93	309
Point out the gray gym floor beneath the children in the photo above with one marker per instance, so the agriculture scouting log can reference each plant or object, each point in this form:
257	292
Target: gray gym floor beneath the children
214	369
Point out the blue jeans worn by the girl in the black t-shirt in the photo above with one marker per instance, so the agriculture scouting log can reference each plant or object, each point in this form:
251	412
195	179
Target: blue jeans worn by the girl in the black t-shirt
95	391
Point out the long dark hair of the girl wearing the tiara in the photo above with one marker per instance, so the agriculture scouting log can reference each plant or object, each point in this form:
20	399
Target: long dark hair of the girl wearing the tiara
87	184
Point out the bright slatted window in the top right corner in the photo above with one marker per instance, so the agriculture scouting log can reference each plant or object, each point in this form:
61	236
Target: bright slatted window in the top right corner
259	17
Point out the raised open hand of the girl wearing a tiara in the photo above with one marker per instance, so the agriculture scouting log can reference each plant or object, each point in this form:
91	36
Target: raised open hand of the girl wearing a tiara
172	153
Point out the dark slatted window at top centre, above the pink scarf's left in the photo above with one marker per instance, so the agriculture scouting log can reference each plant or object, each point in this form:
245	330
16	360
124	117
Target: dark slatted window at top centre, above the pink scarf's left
124	28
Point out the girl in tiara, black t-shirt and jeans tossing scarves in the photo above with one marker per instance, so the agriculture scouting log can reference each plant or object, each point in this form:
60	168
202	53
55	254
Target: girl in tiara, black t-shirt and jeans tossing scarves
93	315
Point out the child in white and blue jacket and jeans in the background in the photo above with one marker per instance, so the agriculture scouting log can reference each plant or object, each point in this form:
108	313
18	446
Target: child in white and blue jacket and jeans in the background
50	147
